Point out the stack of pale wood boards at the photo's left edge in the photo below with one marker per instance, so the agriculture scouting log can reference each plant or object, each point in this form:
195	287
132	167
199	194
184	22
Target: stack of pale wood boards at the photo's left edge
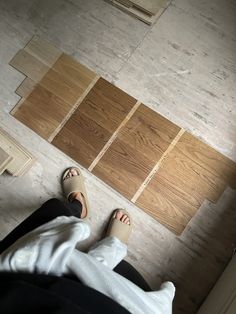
14	158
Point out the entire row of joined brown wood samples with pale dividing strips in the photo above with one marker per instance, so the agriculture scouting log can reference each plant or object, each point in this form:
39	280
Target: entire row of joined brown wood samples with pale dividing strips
148	159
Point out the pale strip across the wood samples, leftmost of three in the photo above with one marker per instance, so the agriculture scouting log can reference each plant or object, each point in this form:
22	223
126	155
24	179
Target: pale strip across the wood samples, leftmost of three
73	109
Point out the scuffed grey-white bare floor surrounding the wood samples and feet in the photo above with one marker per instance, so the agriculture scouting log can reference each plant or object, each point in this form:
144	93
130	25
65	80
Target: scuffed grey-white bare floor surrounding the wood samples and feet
184	68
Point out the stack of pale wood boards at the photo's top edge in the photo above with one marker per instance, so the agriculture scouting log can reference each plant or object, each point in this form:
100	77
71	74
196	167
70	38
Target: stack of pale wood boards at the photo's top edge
147	11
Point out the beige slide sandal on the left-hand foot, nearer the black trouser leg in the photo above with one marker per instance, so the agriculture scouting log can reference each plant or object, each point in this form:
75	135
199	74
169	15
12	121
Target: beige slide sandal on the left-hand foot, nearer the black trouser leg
74	184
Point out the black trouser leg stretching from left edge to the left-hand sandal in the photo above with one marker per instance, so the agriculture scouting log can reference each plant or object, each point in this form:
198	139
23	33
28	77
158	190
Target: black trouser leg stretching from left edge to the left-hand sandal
48	211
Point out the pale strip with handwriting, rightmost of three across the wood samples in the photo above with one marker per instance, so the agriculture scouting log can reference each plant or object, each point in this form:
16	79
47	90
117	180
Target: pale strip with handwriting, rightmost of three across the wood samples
157	166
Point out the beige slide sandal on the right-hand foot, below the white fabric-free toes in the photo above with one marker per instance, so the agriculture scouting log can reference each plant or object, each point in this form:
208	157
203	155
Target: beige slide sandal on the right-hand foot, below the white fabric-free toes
119	229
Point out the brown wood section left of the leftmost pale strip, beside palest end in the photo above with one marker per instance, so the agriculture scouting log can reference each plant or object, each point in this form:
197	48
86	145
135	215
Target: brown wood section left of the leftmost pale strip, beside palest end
51	100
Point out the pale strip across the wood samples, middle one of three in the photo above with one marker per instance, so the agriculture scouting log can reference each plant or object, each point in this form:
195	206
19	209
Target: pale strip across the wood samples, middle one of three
114	136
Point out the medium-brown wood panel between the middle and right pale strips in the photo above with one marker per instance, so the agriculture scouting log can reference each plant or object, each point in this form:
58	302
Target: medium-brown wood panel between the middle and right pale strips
138	147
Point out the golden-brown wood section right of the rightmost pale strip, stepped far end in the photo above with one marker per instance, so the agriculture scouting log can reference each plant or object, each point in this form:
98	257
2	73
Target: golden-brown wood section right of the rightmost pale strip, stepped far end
191	173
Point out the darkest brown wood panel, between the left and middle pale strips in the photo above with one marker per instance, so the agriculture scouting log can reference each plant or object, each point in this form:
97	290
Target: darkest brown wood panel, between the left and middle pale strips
94	122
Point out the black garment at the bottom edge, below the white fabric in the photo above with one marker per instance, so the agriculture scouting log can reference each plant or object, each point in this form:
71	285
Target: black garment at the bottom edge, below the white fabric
37	294
